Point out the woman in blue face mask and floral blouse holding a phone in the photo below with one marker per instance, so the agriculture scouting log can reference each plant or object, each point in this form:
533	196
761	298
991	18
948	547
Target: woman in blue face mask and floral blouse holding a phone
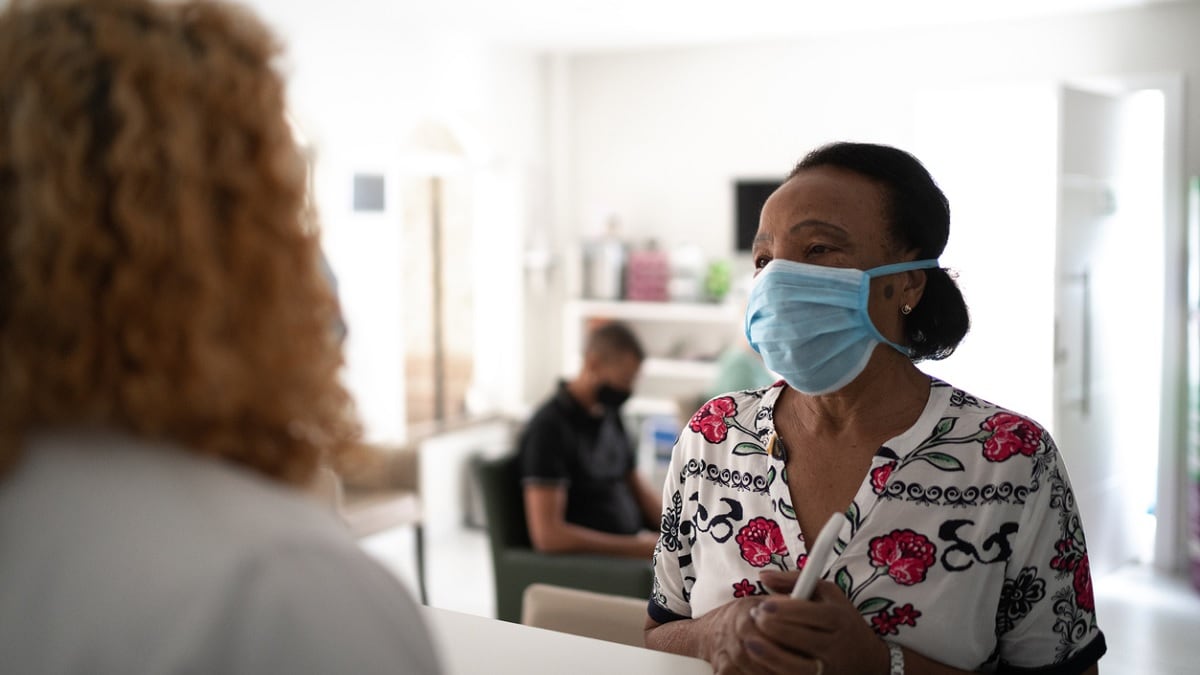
962	548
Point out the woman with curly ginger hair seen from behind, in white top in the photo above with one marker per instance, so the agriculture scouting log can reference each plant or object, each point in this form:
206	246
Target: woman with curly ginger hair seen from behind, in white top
169	377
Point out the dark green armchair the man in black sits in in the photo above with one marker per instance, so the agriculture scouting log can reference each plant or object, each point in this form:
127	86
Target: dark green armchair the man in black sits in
517	565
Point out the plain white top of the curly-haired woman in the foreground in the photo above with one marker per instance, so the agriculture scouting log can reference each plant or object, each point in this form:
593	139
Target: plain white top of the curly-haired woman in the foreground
119	557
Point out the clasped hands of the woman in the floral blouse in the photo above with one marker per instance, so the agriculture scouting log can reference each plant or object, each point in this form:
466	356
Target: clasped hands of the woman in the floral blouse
824	636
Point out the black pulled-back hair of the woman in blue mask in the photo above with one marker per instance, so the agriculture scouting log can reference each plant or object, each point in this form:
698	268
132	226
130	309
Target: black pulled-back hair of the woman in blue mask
920	218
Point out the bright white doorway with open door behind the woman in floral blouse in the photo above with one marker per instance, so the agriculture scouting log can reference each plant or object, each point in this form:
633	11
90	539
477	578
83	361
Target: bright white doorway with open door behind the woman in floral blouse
1103	163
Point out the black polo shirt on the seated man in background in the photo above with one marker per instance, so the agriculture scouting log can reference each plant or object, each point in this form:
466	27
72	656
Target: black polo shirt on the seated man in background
565	444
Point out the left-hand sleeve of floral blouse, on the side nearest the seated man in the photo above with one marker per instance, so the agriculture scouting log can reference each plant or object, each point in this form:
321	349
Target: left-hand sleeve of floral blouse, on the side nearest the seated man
674	575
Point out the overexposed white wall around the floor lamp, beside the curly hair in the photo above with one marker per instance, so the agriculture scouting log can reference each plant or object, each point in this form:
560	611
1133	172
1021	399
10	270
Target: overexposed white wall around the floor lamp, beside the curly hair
359	83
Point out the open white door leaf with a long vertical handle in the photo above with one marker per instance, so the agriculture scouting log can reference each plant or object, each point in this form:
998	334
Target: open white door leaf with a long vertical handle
1109	314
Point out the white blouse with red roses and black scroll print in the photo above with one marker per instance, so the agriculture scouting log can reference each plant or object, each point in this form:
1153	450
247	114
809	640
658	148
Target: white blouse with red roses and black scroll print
964	542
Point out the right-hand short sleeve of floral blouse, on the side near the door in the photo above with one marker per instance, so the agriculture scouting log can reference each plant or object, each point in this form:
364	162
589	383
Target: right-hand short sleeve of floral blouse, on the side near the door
1047	614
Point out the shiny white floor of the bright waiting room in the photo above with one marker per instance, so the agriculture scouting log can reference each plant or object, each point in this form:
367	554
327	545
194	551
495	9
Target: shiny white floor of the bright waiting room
1151	622
